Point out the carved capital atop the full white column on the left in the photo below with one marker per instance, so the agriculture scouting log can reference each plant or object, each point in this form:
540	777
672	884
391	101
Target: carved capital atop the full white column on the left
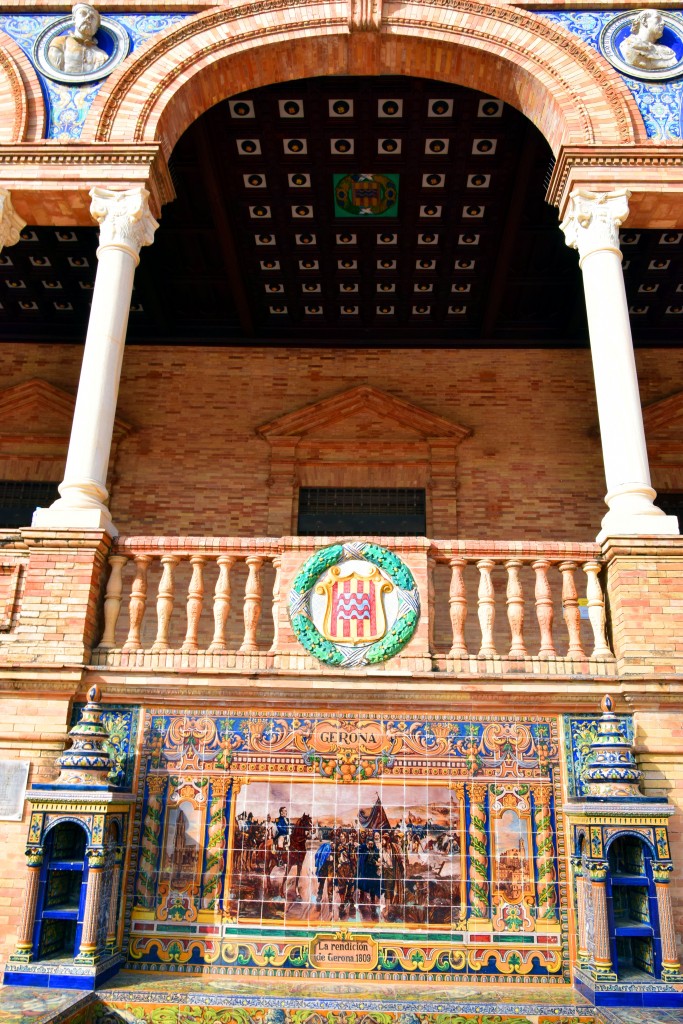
124	219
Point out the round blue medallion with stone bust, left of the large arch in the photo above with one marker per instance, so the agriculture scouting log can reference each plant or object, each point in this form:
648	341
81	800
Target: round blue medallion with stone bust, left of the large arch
82	49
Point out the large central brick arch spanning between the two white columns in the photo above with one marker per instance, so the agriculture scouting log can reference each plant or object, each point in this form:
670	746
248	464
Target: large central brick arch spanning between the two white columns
570	93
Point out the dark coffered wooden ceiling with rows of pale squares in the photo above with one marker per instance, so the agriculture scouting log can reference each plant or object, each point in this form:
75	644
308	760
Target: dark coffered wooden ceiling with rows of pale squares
350	211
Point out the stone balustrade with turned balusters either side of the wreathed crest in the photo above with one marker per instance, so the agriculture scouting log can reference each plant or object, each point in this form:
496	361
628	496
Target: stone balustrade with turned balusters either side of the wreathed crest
488	608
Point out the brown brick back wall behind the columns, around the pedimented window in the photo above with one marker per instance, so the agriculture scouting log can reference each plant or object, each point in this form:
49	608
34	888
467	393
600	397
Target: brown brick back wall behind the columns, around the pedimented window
195	464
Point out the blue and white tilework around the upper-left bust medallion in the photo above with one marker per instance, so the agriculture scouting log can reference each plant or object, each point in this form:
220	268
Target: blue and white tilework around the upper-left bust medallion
68	106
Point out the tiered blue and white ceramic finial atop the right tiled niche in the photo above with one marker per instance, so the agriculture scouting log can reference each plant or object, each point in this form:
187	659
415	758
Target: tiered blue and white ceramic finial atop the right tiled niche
611	769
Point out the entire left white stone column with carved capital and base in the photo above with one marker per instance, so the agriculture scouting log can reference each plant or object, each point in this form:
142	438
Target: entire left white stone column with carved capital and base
125	226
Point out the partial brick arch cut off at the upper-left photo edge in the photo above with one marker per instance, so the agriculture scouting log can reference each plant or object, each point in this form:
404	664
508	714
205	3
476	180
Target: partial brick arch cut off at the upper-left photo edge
22	107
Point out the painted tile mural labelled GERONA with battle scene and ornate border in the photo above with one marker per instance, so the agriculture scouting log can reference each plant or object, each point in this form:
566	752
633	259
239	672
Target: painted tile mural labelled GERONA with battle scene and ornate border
350	846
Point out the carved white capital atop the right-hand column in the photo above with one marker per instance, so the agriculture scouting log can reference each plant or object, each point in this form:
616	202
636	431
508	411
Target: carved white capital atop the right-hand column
593	221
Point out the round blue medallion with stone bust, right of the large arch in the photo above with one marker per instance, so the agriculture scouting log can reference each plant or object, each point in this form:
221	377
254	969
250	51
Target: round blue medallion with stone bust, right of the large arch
646	45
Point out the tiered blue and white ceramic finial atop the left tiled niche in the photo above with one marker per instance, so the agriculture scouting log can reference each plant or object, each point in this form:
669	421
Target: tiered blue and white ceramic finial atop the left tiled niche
88	763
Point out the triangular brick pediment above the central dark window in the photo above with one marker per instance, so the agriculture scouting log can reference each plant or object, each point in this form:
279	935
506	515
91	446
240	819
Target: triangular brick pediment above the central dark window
364	412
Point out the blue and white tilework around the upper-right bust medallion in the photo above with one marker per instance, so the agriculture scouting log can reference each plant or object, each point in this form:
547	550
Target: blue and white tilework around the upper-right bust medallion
660	103
